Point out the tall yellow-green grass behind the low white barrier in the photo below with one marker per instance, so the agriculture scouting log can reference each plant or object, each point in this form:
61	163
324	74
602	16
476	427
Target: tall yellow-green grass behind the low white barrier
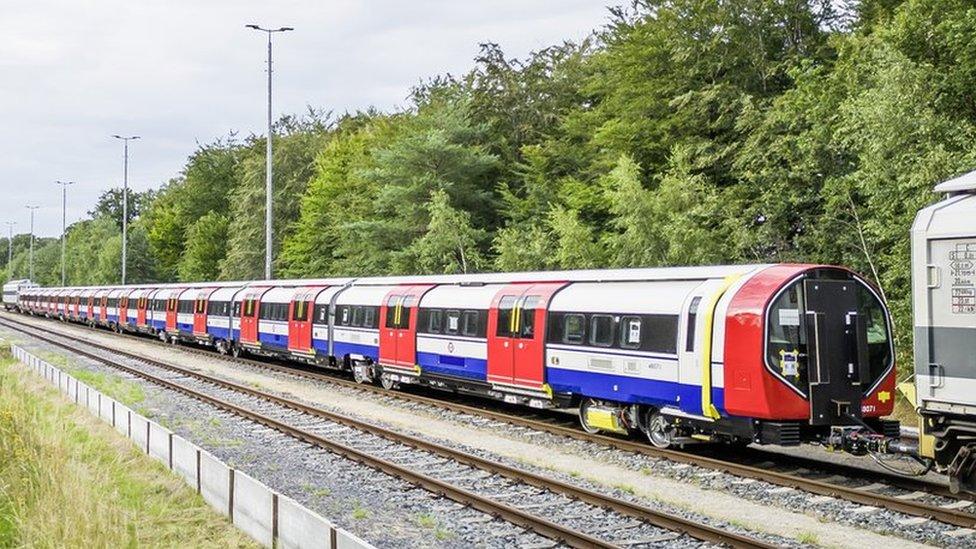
69	480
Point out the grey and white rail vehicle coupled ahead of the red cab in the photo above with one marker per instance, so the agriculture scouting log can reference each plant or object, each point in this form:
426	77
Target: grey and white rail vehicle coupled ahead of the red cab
943	241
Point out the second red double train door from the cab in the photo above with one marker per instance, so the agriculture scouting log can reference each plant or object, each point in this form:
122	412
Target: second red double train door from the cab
398	335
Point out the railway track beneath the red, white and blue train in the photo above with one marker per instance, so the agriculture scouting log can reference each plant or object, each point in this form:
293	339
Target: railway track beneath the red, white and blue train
821	487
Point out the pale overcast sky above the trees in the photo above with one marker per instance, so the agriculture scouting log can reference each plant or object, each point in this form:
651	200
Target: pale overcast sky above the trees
182	72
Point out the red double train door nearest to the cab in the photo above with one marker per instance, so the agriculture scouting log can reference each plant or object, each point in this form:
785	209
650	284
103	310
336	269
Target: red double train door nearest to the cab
516	334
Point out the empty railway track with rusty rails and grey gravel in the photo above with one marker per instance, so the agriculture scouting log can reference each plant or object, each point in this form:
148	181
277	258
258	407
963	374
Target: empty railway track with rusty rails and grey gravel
544	505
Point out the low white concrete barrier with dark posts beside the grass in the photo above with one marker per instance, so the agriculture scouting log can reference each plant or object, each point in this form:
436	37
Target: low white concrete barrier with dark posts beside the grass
272	519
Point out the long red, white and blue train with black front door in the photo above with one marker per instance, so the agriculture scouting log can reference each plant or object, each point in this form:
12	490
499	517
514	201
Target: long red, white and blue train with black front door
780	353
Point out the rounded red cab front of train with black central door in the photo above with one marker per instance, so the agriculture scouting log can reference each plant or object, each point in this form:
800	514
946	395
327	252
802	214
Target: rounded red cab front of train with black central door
827	361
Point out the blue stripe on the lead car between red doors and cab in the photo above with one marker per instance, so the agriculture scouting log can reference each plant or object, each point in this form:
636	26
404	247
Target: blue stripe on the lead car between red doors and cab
632	389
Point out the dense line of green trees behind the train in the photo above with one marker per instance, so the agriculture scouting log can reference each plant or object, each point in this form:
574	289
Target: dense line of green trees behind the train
683	132
